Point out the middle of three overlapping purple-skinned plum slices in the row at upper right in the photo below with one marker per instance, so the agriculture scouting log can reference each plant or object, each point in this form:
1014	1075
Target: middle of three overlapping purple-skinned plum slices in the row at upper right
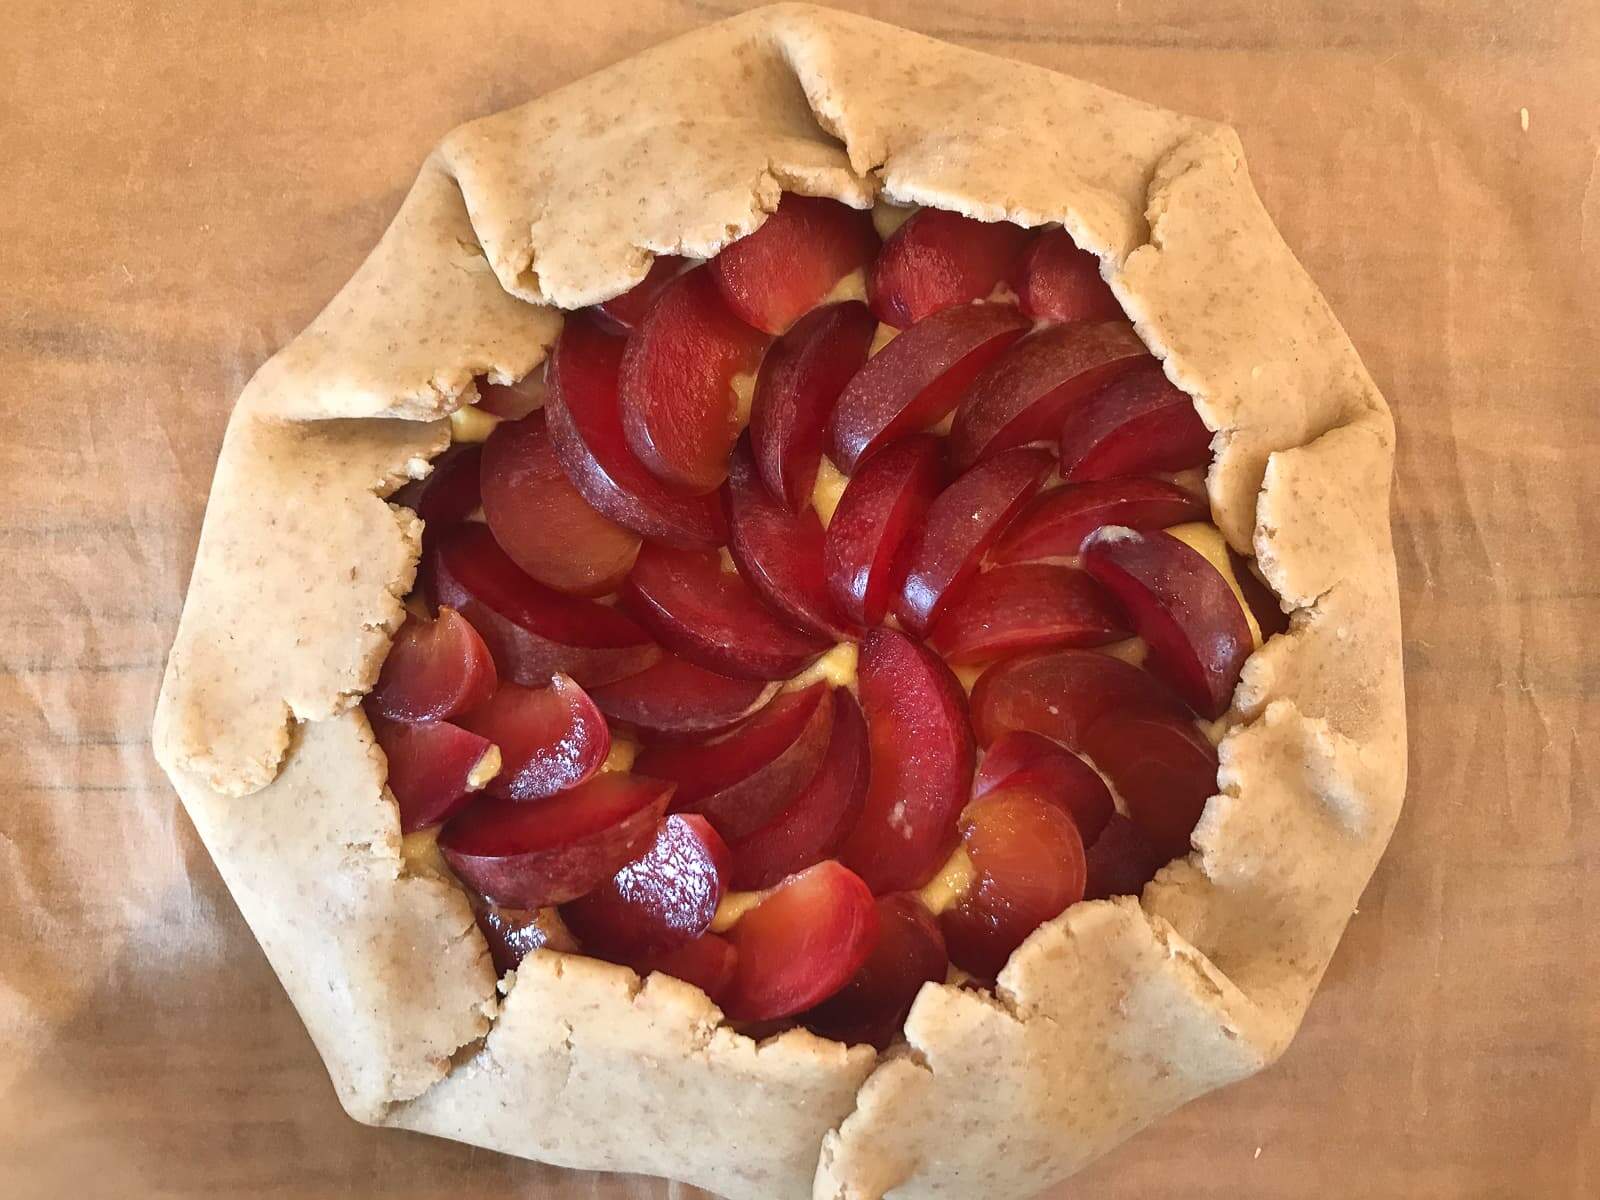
1025	394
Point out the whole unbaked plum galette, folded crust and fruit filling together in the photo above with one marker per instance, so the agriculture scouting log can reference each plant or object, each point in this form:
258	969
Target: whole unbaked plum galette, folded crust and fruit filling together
817	620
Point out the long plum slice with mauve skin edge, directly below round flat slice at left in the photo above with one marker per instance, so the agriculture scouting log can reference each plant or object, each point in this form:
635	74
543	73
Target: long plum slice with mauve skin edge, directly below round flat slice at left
530	630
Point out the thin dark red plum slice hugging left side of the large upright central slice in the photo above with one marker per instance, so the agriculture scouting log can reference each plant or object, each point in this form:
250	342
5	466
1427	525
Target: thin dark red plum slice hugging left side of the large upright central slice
822	815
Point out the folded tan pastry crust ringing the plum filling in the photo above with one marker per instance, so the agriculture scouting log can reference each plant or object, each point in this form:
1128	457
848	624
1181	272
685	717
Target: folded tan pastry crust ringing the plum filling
1108	1017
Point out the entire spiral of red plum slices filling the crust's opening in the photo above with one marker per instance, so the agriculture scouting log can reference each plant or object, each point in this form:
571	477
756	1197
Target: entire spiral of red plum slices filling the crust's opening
626	705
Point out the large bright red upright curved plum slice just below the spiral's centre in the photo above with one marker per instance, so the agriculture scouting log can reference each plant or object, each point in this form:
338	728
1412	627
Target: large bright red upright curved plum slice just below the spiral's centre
922	764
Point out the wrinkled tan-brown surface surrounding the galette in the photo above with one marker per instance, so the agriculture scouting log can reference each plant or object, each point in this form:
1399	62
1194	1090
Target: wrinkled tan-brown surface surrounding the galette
188	183
